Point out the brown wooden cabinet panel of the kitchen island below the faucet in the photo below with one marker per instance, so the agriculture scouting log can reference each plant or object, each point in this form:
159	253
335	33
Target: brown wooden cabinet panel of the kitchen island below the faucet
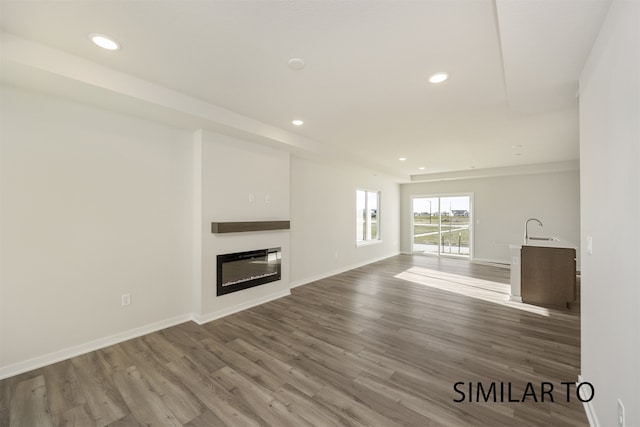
548	275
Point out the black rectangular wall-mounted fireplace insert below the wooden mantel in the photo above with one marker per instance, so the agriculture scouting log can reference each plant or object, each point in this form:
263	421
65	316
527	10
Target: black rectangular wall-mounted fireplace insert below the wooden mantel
244	270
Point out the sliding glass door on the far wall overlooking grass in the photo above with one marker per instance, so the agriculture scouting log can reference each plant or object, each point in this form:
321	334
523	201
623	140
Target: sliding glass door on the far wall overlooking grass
441	225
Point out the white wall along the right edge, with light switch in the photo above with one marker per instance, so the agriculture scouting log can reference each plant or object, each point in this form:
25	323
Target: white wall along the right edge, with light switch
609	159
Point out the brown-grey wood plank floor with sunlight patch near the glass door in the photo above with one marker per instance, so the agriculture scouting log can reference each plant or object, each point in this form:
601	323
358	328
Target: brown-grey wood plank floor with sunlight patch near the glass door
381	345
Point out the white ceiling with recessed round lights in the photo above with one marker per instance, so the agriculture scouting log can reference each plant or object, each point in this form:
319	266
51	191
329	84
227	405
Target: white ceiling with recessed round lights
514	67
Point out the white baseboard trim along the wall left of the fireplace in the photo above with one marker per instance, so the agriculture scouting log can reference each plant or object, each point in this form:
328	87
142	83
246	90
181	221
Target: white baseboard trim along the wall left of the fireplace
77	350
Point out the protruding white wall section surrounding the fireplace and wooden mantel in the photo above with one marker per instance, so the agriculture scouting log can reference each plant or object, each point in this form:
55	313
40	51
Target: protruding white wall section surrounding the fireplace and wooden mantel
232	170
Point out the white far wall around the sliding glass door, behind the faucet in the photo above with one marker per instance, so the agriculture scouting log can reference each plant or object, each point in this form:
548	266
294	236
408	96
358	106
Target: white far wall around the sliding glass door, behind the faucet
501	205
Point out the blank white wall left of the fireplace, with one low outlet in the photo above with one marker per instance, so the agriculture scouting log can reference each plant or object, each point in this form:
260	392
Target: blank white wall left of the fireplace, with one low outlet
94	205
